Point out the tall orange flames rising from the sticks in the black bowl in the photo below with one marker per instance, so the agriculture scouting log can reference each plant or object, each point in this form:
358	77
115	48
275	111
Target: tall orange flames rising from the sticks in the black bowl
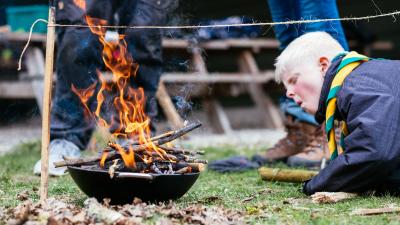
131	121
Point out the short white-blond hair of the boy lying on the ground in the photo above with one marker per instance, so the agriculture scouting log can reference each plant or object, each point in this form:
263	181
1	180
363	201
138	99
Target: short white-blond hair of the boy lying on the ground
307	48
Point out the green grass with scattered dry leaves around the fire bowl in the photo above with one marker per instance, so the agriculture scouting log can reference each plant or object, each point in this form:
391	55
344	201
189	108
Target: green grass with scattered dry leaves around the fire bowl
284	205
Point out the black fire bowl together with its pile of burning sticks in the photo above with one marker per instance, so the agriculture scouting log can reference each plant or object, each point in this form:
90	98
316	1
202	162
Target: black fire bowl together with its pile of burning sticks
122	173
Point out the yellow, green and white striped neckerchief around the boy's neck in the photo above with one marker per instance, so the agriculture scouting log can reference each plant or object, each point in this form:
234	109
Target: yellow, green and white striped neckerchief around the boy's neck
349	62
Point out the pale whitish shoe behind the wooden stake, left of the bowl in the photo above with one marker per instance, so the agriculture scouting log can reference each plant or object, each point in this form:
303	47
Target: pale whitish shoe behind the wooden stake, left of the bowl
58	148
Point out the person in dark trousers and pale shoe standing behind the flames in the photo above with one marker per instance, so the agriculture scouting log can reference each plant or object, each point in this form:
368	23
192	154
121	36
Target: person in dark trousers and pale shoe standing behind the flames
79	56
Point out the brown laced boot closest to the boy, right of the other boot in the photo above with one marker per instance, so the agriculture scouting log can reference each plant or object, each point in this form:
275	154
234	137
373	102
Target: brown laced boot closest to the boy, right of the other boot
313	154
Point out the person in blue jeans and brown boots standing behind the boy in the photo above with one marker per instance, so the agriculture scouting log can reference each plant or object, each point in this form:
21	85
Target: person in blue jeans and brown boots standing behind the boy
304	144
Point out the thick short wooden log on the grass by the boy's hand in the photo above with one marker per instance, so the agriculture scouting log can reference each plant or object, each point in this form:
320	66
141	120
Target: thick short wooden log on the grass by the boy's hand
286	175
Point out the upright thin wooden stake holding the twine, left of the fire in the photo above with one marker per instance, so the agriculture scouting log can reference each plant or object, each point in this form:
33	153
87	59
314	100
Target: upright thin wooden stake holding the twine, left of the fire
48	81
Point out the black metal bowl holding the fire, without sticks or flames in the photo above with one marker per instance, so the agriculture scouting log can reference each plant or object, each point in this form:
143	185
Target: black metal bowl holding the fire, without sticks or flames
124	186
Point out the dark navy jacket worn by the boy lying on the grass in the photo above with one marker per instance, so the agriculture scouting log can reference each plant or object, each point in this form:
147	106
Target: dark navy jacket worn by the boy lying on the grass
369	102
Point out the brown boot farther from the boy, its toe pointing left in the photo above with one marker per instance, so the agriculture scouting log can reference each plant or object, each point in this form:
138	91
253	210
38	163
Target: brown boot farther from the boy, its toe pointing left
298	135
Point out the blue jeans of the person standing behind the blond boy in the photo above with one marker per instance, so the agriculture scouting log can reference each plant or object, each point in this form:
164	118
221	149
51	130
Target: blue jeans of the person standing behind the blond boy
297	10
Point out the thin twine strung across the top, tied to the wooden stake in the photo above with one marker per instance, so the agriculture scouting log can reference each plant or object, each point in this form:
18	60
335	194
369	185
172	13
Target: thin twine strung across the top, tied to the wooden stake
393	14
